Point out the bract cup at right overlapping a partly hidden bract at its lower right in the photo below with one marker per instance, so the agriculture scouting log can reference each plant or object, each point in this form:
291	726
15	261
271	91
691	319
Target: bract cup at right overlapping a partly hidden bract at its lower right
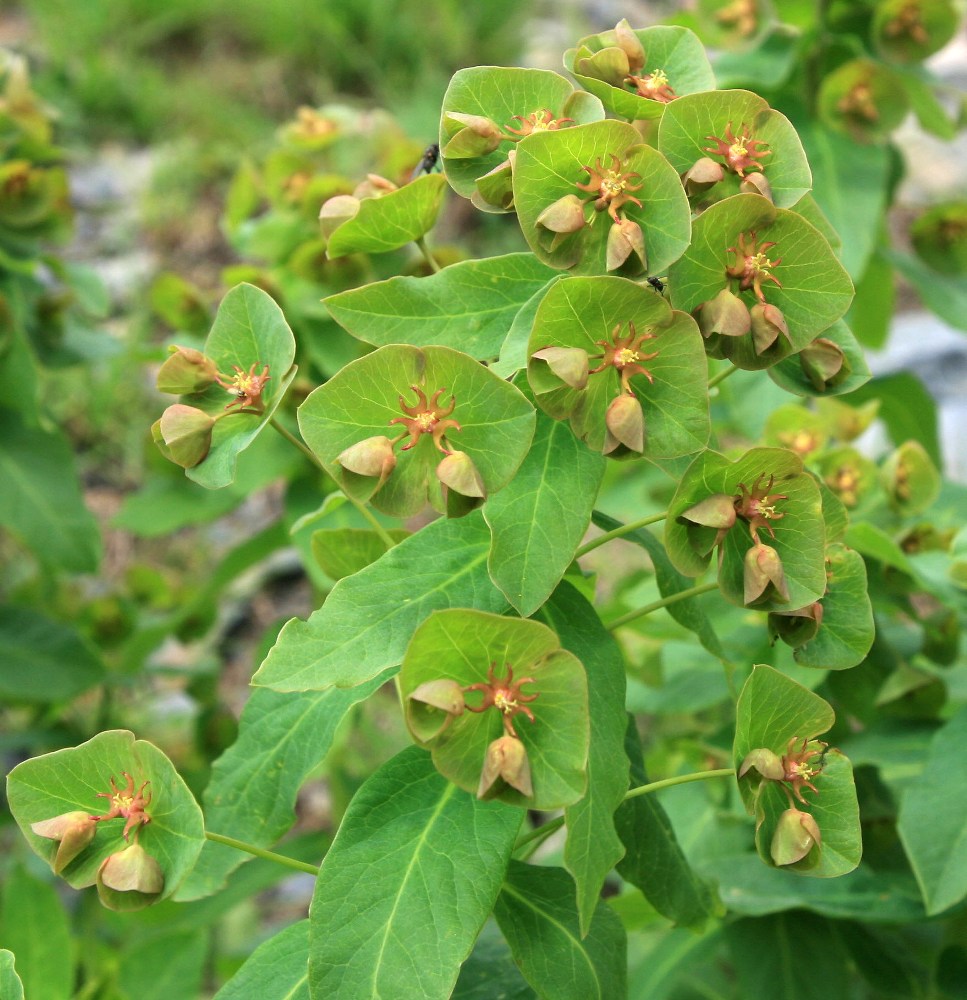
763	501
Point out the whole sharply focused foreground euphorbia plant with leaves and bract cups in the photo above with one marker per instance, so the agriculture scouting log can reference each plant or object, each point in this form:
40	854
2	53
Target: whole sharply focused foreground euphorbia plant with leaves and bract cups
489	452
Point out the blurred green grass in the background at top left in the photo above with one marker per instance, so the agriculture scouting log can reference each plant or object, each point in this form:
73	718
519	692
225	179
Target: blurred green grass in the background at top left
224	70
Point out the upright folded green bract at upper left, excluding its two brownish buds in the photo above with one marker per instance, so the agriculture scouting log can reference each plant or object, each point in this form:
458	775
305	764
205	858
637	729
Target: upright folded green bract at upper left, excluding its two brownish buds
249	329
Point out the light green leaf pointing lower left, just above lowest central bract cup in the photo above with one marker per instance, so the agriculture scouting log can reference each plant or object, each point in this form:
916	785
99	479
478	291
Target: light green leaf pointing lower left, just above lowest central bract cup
368	619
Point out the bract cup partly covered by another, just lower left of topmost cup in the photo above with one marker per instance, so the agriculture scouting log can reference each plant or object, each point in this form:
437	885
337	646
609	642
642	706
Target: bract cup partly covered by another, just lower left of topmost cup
488	111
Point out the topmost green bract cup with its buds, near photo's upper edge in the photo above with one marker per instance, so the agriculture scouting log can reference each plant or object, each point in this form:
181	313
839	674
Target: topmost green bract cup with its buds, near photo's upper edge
602	67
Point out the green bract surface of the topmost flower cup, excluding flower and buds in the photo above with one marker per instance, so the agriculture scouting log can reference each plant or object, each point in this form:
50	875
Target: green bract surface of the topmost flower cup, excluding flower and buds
675	51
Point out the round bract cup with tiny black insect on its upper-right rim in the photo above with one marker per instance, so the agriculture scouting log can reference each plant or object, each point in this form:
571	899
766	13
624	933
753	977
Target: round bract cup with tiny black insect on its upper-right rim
622	366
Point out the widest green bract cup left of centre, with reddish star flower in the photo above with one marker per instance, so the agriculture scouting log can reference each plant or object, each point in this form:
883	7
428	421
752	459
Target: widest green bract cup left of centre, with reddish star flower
404	427
